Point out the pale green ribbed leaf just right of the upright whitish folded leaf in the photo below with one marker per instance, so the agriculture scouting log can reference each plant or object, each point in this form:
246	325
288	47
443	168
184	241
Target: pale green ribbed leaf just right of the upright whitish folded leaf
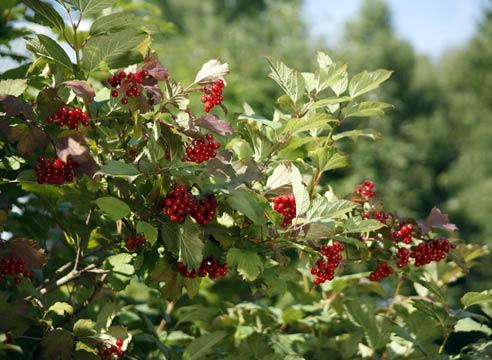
324	210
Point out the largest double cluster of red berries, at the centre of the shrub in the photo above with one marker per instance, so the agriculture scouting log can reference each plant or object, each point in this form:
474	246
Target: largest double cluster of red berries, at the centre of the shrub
179	203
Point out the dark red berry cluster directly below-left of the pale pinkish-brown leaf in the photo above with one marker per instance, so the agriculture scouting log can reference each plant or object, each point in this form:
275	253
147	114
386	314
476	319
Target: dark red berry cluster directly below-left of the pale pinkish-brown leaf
55	171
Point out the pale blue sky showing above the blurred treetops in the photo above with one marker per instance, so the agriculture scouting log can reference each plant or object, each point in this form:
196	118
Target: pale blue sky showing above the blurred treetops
431	26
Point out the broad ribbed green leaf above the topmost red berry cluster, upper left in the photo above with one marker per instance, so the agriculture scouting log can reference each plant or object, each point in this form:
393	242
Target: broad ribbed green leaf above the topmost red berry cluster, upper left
112	51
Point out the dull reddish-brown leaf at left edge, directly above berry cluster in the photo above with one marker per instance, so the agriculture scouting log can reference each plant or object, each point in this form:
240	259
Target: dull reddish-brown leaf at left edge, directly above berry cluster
26	249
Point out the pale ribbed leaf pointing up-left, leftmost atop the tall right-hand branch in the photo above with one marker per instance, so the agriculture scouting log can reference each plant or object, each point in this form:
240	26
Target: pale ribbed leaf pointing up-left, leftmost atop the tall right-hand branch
291	81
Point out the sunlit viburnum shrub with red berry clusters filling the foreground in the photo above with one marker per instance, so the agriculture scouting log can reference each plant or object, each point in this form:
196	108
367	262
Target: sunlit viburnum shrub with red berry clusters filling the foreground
108	224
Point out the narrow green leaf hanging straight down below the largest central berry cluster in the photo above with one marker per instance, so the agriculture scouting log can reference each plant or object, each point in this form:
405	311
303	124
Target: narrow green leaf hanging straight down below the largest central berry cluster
190	244
